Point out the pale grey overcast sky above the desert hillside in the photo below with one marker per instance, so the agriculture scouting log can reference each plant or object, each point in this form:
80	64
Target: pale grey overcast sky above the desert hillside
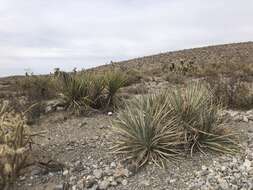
39	35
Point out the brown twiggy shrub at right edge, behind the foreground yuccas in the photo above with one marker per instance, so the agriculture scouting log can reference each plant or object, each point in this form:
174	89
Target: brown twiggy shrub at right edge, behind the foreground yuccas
232	92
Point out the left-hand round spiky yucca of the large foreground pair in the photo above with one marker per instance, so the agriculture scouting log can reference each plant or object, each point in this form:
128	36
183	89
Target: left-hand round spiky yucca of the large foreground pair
147	132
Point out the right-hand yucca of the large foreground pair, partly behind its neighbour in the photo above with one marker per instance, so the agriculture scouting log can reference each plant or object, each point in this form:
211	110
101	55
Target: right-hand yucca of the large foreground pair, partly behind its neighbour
197	115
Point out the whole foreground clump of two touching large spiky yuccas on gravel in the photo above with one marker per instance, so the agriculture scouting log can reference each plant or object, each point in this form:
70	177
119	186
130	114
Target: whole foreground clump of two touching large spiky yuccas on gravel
164	126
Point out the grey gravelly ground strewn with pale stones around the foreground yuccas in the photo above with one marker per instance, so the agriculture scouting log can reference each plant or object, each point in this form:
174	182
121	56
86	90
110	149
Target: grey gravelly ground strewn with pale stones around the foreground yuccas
81	160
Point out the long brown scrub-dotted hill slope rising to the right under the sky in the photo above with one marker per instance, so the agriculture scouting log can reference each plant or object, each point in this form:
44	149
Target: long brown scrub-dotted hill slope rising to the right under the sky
219	54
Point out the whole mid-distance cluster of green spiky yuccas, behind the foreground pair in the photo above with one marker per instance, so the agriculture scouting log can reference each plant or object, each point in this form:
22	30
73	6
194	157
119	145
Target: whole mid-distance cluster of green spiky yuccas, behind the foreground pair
82	91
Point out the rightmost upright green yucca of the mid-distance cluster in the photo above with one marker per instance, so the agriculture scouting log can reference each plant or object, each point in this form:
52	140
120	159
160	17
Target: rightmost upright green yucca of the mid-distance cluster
114	81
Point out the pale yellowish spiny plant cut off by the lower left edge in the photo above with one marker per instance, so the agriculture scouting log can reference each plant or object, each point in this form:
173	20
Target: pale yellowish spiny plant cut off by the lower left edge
15	146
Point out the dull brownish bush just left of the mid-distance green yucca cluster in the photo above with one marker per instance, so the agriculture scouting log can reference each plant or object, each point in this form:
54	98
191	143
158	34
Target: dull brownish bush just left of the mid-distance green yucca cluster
37	87
